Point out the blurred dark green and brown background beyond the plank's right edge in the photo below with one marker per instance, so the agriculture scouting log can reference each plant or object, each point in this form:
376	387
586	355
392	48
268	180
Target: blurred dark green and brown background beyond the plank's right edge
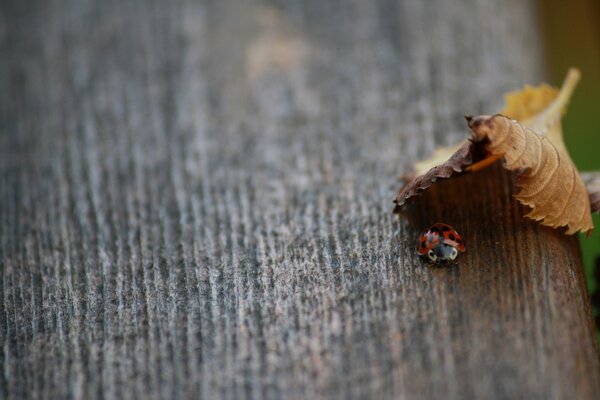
572	38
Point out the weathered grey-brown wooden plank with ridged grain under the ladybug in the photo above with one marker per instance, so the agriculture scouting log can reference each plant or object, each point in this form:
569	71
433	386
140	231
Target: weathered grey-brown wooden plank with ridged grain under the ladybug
196	197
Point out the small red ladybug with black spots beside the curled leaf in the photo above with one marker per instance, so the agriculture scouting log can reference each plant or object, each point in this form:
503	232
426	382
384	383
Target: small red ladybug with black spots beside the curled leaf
441	243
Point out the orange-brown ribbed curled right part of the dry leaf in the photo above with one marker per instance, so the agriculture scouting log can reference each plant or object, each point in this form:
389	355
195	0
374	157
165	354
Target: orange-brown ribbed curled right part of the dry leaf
548	180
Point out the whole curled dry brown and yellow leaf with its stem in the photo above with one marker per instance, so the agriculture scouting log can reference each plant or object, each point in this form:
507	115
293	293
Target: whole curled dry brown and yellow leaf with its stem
534	148
